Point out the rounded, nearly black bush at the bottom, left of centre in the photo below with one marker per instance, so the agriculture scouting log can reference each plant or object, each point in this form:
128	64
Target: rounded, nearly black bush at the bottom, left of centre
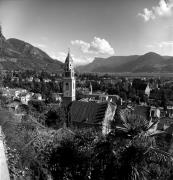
68	162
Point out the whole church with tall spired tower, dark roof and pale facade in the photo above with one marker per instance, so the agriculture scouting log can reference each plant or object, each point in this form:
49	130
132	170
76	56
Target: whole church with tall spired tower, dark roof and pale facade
83	114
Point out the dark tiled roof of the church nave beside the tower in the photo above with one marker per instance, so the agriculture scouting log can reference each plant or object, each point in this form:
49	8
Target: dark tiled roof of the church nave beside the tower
88	112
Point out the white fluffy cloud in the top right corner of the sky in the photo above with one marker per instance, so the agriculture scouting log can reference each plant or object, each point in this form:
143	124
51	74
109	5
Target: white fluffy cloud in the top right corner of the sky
164	9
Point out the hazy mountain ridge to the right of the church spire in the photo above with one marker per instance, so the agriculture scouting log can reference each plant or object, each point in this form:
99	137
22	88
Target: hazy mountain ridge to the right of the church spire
150	62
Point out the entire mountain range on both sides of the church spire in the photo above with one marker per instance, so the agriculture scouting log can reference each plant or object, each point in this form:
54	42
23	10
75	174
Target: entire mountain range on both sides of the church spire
19	55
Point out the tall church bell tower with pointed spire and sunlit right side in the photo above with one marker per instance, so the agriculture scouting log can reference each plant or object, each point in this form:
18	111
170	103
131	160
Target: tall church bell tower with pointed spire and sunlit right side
69	82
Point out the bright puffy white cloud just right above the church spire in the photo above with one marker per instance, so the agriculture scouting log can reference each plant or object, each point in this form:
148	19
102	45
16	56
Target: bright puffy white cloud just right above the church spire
97	46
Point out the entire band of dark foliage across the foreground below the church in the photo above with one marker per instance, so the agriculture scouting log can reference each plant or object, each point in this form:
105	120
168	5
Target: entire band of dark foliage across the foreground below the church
129	152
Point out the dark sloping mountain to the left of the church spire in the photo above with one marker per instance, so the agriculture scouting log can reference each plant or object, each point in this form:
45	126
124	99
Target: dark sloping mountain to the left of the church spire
19	55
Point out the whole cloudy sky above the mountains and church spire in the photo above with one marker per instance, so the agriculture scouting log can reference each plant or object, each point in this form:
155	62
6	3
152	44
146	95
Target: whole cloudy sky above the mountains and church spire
90	28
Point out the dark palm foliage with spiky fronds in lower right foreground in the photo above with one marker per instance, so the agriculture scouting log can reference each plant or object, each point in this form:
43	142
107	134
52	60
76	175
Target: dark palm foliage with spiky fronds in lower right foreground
130	152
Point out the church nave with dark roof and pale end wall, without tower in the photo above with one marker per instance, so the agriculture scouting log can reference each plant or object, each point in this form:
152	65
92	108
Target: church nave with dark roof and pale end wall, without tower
92	114
